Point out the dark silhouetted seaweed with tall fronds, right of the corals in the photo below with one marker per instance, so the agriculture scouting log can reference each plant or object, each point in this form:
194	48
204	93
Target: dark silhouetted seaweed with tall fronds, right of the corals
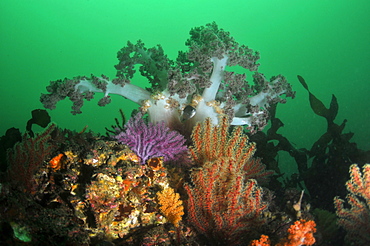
323	169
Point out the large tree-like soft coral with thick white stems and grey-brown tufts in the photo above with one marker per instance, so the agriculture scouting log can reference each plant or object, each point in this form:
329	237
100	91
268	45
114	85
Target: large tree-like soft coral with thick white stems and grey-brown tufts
197	79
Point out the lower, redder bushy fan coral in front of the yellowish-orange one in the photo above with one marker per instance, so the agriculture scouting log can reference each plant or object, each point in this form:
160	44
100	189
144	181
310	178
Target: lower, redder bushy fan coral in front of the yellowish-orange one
222	204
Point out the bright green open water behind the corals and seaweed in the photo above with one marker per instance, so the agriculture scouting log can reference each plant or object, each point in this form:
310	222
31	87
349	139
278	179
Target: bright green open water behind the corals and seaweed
326	42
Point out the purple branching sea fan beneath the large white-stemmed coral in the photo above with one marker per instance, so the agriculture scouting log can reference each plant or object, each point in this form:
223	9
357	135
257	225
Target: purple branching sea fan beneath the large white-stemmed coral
153	140
